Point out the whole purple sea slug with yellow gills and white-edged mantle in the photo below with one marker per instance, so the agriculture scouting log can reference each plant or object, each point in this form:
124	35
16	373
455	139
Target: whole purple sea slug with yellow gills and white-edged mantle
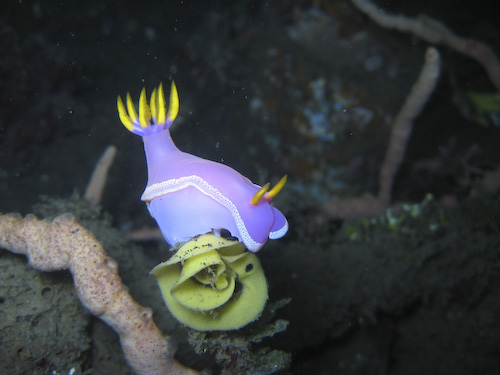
188	195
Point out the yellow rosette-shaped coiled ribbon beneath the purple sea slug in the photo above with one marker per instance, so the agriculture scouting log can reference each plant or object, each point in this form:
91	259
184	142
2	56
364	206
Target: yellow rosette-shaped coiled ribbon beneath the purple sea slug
212	284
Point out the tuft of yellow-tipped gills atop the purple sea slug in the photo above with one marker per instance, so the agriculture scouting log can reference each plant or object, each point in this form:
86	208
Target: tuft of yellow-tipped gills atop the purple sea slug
152	117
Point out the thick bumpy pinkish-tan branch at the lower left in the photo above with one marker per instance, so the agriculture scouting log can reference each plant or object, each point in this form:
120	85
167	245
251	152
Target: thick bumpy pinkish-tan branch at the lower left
65	244
